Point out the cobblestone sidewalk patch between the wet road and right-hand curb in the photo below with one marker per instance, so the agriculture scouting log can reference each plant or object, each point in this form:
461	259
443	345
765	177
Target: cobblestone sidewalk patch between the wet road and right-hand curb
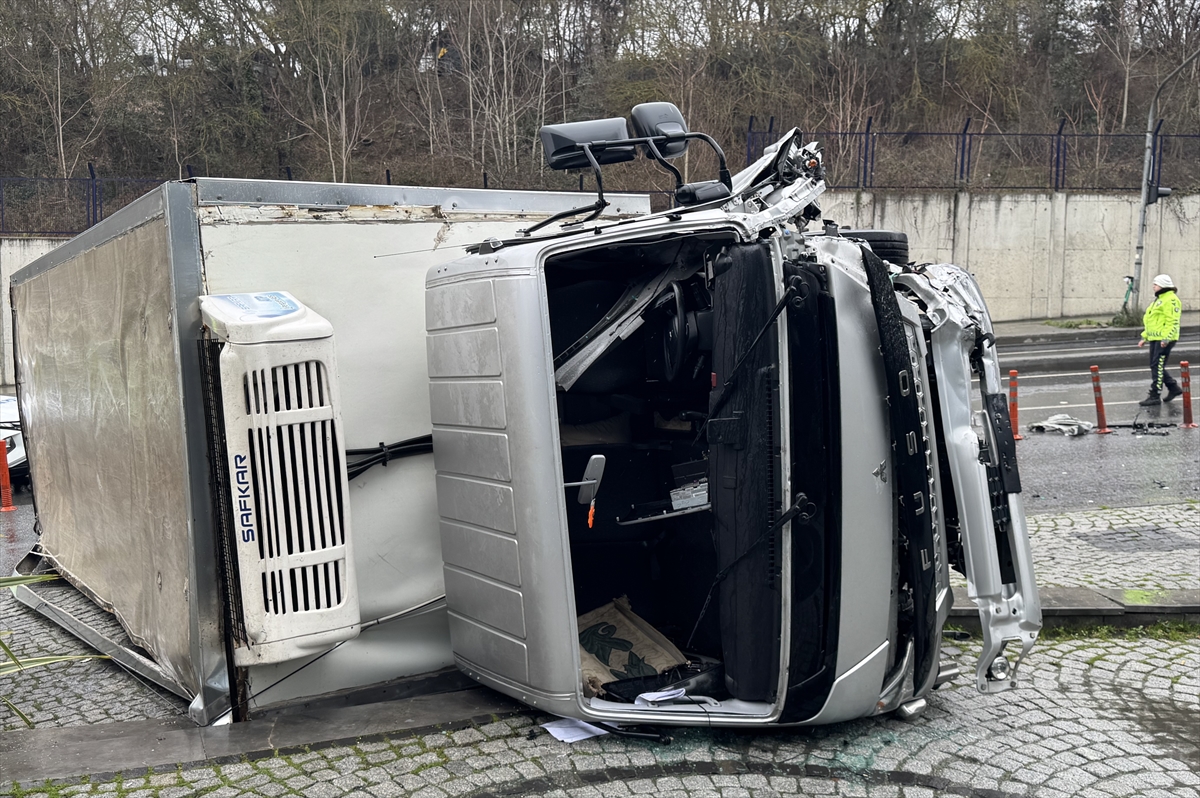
1144	549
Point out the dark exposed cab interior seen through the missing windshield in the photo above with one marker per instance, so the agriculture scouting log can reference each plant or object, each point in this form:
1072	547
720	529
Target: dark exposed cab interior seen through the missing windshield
646	339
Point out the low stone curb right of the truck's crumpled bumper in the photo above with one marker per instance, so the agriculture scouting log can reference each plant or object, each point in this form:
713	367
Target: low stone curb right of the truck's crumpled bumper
1083	608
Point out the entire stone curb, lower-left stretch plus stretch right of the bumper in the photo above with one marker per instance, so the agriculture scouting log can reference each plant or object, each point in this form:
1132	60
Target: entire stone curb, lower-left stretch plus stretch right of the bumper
64	755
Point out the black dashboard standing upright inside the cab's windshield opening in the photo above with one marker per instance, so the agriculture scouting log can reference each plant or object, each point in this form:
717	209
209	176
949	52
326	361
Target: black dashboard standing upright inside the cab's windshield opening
745	473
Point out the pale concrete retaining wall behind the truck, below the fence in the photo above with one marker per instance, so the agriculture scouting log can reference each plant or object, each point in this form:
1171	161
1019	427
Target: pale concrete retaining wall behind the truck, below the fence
1037	255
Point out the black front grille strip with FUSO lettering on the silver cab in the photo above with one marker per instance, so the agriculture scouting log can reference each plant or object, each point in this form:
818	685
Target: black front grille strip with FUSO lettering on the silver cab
910	466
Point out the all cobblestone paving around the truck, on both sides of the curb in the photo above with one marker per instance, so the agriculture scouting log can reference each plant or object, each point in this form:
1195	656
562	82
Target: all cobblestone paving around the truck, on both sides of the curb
1094	717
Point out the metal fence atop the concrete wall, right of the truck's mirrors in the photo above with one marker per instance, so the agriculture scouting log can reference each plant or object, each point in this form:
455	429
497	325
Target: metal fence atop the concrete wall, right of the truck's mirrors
1059	161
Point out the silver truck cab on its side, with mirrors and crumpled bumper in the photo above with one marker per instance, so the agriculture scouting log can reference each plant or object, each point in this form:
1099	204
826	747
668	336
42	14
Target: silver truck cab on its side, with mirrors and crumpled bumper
757	443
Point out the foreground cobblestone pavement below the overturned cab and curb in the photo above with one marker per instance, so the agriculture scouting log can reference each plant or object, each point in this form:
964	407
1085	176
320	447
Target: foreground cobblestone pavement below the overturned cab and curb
1099	718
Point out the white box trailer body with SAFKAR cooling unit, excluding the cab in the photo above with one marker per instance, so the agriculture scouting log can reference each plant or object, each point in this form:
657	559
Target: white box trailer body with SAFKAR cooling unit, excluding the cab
118	392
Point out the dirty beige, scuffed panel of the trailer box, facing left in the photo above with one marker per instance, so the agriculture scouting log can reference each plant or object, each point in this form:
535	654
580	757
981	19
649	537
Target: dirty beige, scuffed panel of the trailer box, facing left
101	400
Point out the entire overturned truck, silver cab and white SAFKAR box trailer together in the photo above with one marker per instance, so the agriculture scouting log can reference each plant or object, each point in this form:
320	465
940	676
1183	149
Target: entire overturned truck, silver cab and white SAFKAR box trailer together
695	467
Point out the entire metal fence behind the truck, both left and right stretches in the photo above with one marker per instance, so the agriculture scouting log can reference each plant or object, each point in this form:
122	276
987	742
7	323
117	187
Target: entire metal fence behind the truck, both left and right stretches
867	159
